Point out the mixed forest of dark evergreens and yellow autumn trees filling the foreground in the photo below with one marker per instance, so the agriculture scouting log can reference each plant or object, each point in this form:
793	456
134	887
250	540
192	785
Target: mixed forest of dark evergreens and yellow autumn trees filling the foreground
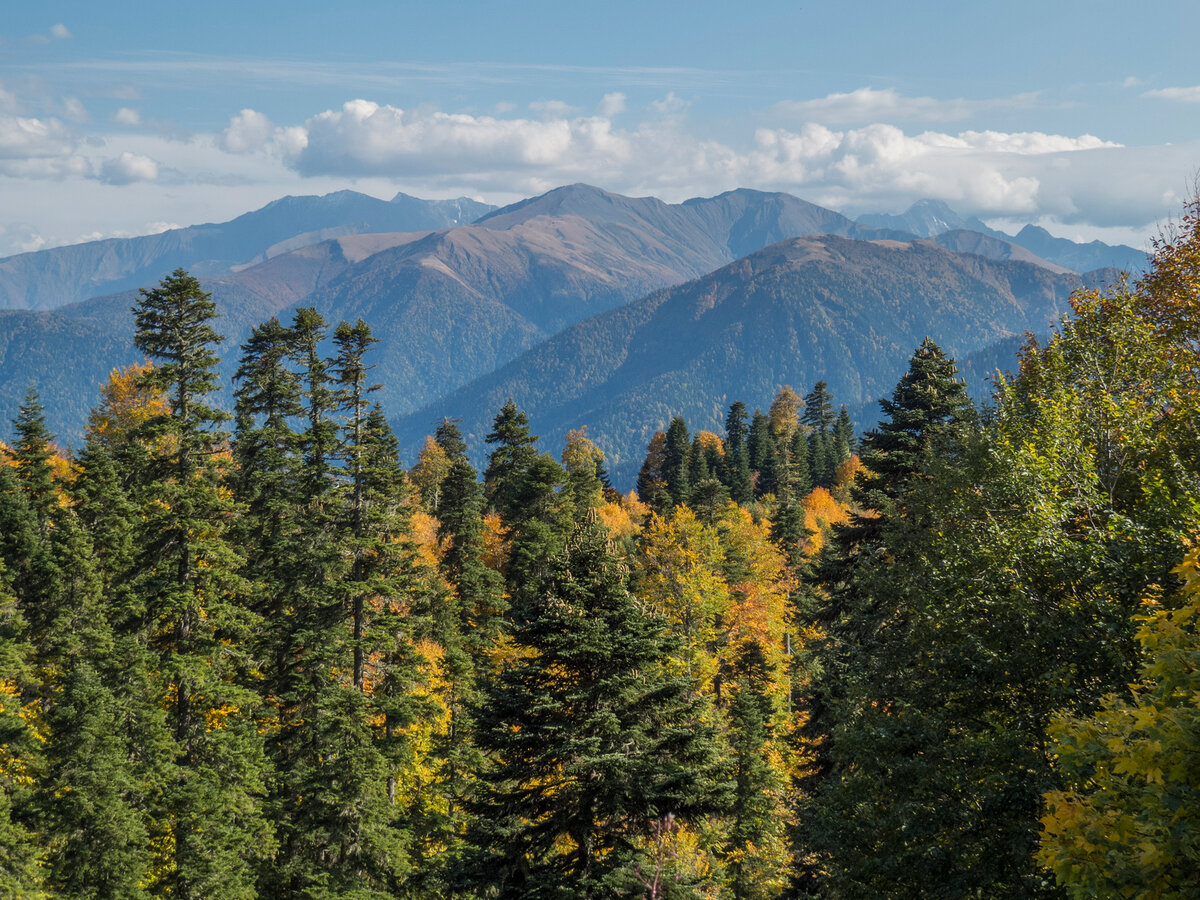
257	656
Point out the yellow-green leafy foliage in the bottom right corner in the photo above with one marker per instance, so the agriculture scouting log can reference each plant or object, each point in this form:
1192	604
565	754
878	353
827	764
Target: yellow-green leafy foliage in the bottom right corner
1127	821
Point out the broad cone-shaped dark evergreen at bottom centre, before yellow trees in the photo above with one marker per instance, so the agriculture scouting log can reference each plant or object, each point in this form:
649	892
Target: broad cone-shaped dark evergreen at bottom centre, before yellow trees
592	739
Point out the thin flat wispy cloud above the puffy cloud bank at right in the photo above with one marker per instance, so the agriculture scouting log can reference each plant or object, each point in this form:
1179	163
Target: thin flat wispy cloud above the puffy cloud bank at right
869	105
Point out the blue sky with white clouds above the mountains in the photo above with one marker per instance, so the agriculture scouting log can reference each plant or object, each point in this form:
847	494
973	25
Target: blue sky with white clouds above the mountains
125	118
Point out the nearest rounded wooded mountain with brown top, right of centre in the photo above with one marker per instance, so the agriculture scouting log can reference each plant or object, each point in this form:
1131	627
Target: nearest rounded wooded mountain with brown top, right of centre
849	313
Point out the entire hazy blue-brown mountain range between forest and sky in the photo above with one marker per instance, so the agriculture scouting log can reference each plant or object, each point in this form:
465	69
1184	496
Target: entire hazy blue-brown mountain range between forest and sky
585	307
